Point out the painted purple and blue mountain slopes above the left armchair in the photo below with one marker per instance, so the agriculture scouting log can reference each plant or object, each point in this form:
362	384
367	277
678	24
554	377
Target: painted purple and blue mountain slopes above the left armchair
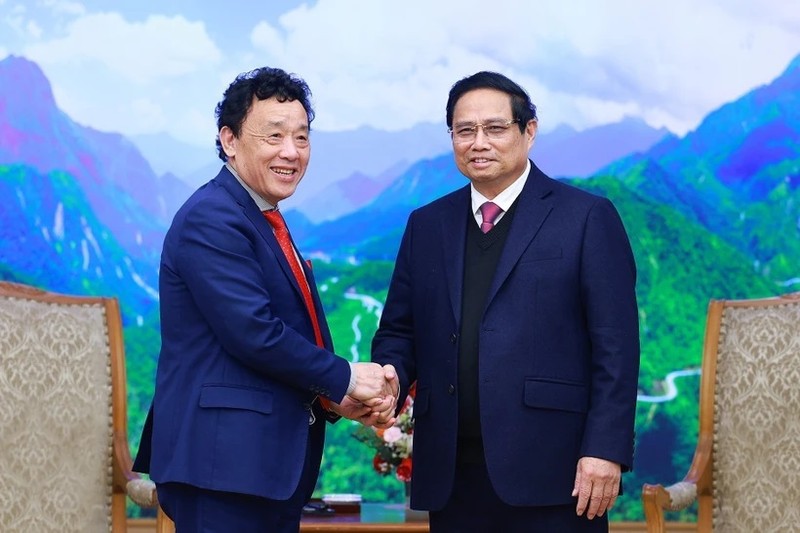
82	212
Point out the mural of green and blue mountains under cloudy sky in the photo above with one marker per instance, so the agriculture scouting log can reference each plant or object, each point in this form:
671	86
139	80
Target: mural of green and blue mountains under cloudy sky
686	115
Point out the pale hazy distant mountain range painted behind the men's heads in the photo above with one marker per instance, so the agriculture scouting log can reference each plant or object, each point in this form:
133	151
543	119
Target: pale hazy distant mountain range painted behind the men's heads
349	169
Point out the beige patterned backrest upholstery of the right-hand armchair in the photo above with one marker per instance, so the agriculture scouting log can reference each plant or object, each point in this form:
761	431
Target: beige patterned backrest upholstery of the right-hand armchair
757	420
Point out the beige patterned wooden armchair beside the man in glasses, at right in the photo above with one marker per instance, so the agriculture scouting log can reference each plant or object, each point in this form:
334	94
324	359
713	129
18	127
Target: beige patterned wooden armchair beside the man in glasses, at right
745	474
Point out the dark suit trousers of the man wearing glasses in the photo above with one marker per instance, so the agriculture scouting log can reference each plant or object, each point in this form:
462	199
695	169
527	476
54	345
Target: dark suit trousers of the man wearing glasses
474	507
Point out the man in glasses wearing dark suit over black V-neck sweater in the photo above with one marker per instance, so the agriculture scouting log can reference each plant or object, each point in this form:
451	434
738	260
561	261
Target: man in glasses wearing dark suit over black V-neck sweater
513	307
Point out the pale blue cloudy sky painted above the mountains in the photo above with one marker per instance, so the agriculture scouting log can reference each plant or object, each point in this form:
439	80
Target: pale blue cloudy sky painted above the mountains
146	67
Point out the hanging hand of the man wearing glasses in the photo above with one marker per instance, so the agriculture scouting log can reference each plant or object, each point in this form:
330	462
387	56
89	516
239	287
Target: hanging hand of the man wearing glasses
596	486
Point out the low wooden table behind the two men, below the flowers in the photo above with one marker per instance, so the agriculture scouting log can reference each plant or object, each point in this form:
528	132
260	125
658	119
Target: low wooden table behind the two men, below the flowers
377	517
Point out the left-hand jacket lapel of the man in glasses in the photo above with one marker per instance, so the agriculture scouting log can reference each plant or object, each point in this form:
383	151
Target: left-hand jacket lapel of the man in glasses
453	240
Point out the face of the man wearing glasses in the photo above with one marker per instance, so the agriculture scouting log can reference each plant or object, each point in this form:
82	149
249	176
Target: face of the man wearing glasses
491	164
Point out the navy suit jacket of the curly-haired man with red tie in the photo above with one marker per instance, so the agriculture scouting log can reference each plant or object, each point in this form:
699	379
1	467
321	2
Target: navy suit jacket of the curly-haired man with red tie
238	366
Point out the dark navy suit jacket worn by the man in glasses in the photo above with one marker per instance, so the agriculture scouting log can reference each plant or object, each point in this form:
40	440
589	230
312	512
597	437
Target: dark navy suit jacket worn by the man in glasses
558	343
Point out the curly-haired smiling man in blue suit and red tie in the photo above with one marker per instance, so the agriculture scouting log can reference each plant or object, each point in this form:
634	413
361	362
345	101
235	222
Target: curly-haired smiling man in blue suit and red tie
246	375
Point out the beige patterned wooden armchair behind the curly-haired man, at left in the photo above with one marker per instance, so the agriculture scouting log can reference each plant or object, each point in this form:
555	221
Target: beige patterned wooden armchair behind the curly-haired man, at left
64	458
